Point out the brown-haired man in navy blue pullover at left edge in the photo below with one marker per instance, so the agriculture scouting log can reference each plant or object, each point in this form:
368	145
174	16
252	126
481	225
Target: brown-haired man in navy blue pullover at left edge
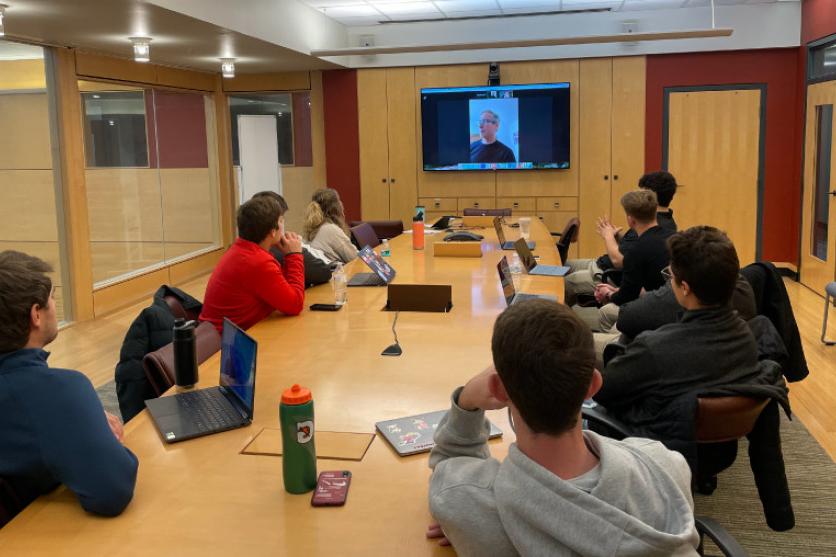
53	428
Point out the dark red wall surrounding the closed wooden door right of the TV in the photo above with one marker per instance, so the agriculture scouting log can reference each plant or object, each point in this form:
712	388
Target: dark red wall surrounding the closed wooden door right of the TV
779	70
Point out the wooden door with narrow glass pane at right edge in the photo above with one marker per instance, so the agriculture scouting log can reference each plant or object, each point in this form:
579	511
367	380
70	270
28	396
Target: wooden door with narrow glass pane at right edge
818	231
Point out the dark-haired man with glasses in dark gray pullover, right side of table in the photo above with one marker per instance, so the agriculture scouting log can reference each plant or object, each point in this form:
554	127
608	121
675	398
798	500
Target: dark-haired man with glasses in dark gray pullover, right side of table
710	346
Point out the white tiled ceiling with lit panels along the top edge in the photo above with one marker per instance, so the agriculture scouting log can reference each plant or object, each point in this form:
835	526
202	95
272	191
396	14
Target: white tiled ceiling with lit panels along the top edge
370	12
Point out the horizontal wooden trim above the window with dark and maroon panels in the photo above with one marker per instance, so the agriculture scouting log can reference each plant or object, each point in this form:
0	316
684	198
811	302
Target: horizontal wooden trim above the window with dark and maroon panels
121	69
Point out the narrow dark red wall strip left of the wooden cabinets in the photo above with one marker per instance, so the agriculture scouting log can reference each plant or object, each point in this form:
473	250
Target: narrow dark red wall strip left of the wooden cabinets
342	140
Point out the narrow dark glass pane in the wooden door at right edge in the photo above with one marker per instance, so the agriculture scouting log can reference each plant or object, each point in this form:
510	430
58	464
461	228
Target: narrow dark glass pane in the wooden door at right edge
821	205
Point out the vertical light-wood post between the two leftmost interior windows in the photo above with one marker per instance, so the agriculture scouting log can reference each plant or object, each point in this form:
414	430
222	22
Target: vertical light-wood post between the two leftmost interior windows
74	186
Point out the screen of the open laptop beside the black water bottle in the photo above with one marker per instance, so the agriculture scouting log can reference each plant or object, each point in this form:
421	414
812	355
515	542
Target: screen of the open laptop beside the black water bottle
238	357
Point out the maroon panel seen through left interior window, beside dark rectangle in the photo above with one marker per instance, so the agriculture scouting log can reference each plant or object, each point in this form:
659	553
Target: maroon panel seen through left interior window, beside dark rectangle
181	129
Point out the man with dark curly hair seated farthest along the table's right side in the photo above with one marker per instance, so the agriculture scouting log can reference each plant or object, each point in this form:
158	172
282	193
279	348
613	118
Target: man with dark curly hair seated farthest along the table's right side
586	273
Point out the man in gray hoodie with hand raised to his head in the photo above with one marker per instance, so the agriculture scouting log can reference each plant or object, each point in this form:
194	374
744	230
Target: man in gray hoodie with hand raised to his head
561	490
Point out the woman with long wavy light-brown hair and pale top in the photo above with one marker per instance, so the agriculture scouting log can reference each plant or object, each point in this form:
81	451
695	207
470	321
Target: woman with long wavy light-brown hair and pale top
325	227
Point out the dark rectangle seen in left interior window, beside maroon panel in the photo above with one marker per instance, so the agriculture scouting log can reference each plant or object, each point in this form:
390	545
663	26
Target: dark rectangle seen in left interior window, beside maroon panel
114	129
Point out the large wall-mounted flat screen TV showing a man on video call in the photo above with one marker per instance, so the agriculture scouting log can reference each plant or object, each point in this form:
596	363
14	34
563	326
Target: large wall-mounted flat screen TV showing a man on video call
504	127
